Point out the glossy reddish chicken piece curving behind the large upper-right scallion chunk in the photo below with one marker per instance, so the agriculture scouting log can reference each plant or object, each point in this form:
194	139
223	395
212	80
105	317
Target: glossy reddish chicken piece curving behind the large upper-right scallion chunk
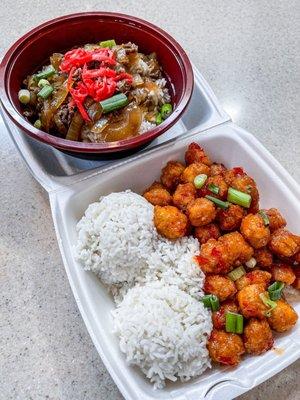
239	180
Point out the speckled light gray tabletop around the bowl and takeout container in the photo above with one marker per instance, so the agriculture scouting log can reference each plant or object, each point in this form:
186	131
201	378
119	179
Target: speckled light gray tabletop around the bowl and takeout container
247	51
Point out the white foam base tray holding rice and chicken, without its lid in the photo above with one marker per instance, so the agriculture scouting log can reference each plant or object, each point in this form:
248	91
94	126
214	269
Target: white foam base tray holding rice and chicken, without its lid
233	147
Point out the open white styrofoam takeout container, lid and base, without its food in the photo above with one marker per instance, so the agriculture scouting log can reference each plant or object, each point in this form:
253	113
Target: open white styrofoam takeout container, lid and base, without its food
73	184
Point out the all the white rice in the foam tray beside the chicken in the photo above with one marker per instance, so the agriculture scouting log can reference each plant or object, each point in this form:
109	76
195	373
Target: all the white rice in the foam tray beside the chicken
162	325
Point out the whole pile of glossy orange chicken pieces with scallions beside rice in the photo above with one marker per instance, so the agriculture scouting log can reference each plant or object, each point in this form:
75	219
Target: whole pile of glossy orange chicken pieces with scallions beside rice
247	254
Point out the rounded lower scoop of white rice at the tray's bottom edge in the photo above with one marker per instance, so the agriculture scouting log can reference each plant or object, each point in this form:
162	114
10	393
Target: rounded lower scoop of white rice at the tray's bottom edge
164	331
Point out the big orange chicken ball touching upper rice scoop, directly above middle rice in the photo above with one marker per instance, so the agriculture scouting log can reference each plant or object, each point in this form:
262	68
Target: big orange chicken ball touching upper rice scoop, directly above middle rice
170	222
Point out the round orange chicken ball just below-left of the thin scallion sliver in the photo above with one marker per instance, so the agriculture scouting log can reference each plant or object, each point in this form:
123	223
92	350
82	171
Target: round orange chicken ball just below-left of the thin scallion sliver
201	212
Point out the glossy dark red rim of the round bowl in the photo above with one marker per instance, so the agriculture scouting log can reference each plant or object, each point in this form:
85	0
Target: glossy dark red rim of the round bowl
82	147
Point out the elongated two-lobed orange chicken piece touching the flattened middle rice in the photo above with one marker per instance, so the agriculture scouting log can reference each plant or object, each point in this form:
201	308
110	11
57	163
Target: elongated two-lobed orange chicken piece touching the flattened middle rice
220	256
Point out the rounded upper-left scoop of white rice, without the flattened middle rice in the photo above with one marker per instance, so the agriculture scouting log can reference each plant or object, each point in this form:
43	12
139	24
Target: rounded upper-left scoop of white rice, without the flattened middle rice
115	236
